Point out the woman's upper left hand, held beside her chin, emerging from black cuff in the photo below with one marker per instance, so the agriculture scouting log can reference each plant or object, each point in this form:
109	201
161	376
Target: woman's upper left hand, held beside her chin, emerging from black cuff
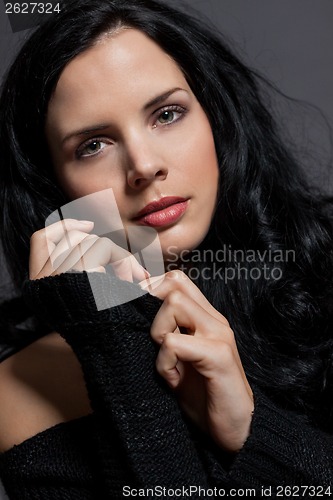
69	245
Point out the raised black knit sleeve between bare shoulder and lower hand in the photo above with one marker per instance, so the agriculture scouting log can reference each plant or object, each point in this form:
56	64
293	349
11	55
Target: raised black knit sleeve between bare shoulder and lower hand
136	412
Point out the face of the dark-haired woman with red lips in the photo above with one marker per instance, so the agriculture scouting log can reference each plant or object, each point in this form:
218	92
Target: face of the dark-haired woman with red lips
123	117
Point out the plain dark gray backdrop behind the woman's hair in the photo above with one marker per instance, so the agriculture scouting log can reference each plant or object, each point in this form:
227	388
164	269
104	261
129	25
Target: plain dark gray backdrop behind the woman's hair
289	41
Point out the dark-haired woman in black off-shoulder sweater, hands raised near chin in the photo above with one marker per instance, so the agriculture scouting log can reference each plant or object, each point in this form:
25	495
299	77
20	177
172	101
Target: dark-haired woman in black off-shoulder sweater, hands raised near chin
138	98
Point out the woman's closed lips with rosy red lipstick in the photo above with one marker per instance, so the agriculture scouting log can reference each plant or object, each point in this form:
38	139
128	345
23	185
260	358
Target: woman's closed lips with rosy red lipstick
163	212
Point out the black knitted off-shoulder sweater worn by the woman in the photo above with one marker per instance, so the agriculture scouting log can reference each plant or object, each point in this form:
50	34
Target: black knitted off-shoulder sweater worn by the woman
137	437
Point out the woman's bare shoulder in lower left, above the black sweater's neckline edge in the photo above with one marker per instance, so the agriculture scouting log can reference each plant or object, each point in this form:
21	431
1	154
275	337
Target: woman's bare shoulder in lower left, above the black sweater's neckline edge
40	386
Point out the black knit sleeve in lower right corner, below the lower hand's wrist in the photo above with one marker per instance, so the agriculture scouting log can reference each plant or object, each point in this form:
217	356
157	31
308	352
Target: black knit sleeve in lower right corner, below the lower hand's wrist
284	454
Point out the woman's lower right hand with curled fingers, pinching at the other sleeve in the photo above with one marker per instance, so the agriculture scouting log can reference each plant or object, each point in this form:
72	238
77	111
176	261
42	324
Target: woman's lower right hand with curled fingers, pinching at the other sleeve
203	366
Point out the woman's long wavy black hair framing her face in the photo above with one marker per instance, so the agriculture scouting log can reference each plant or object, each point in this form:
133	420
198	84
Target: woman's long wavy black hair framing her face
282	326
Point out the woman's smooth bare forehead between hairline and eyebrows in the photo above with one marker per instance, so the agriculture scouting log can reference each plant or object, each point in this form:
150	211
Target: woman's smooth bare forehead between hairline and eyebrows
128	65
